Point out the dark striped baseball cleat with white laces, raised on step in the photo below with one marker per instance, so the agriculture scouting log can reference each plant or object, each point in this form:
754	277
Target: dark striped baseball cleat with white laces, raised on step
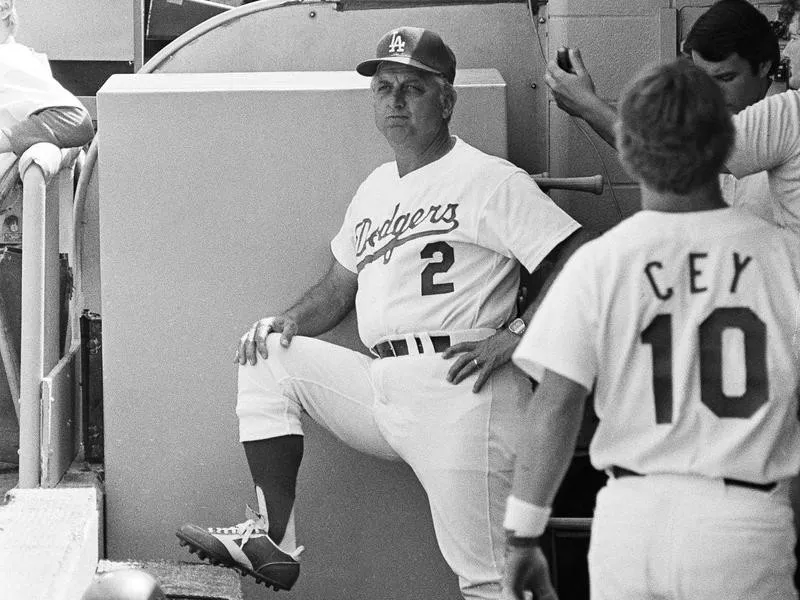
245	547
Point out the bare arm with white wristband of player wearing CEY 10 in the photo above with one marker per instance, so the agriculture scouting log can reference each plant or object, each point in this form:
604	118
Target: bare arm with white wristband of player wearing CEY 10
546	442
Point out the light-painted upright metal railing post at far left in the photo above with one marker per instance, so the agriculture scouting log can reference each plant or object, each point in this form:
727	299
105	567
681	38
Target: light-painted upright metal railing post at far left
47	381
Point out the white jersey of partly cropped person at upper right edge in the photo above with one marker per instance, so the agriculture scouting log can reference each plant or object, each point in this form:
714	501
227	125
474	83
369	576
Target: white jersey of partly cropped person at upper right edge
768	139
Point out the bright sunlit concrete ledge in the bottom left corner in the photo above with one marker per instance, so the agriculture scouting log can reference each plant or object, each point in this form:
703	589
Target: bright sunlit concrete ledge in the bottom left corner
48	543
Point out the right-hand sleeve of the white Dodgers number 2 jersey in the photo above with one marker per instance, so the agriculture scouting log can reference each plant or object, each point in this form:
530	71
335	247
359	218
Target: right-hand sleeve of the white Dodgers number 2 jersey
519	220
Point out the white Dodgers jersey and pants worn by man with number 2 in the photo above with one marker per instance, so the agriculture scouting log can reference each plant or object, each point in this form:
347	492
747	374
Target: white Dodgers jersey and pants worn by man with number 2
435	251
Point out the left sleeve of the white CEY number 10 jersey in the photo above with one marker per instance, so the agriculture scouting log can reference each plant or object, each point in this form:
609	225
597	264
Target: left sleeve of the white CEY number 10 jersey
561	336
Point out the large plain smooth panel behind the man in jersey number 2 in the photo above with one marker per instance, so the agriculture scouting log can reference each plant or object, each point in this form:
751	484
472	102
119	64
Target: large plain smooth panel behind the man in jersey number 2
220	194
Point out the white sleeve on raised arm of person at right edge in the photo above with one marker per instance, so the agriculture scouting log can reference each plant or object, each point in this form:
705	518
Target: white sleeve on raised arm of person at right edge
767	134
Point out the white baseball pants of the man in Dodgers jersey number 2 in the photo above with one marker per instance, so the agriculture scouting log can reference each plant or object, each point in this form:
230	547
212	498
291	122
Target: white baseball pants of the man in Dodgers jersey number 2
459	444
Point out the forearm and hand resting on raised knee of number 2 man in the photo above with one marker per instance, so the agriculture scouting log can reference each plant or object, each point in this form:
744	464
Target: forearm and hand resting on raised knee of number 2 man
321	308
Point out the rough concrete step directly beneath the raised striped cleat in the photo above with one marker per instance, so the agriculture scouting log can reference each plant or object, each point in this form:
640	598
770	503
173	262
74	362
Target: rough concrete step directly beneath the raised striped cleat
183	580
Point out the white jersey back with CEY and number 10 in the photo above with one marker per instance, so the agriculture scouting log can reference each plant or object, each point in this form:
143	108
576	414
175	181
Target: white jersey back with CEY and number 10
687	326
